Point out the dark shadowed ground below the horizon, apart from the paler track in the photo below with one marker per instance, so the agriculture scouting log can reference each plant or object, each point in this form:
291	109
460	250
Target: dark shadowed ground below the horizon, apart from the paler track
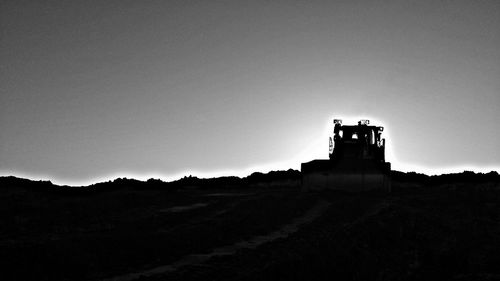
444	231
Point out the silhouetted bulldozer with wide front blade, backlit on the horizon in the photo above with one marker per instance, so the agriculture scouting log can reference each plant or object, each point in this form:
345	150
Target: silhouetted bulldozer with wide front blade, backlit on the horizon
356	161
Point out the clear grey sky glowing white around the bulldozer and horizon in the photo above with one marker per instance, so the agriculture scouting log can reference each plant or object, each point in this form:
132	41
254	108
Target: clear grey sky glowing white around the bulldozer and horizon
96	89
